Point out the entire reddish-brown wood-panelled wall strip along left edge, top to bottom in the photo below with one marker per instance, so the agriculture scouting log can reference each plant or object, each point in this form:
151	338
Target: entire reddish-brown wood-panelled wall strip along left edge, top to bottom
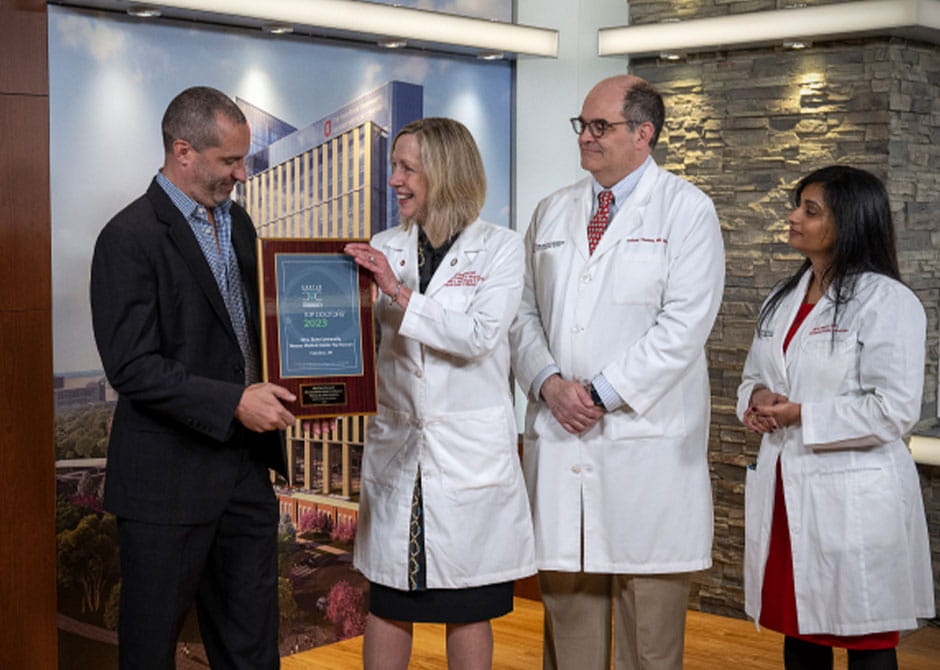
27	496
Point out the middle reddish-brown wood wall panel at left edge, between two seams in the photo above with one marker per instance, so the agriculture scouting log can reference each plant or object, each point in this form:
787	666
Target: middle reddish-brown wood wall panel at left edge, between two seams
24	202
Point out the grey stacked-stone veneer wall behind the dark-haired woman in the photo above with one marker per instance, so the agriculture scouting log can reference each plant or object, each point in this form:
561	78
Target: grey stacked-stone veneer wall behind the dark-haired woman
745	126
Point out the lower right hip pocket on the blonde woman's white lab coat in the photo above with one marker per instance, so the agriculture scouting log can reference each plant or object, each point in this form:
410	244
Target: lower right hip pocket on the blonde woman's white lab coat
474	452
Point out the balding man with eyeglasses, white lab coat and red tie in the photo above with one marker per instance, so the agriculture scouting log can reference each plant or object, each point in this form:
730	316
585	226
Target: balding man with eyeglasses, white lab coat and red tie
624	277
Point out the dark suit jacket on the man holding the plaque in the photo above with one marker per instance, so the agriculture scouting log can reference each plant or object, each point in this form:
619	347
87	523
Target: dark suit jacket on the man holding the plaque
169	350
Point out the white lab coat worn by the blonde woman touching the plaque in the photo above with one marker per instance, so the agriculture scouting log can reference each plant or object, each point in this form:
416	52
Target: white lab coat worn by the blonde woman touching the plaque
445	405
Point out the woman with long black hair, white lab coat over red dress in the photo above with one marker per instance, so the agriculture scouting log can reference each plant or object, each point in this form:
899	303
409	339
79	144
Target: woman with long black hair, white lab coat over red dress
836	540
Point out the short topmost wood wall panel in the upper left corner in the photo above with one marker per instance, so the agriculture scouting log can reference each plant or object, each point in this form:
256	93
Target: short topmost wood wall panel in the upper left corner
23	54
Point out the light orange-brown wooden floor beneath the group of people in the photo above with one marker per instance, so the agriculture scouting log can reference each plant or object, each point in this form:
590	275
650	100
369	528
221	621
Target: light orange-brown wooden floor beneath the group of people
712	643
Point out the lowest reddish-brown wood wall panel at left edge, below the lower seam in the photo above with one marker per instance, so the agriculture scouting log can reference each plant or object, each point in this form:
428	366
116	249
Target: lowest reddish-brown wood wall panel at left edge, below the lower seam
27	496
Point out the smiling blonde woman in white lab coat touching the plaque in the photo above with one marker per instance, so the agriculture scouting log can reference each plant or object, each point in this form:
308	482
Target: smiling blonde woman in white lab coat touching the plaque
444	523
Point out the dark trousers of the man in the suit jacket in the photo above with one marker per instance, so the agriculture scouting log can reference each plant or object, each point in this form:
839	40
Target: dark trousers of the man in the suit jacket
228	567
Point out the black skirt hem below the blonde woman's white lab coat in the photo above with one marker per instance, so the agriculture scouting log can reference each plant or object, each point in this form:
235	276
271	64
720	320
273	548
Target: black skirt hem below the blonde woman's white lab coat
470	605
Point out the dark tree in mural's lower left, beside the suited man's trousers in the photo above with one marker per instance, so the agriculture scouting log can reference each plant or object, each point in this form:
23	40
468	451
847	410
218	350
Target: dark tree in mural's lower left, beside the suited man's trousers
87	558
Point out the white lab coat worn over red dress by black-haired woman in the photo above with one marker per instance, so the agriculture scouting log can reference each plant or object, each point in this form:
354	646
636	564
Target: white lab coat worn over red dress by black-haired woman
861	562
